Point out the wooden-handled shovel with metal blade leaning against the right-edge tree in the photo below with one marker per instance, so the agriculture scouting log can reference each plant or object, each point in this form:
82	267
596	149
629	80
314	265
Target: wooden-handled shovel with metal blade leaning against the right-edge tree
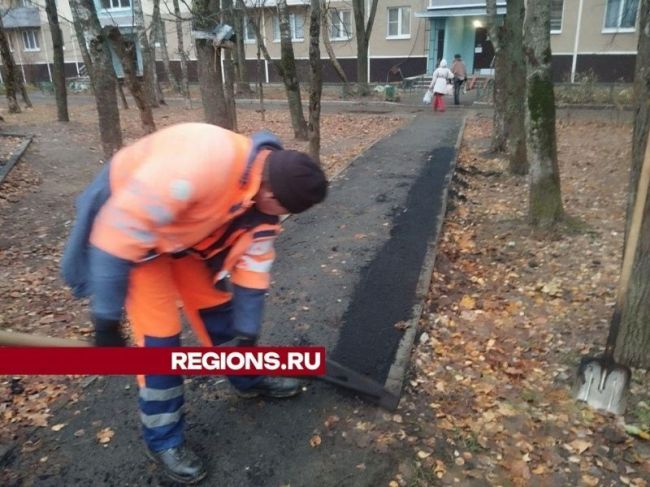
601	382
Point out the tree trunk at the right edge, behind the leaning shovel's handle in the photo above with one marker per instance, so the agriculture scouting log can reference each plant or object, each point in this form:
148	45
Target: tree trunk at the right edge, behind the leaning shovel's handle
633	340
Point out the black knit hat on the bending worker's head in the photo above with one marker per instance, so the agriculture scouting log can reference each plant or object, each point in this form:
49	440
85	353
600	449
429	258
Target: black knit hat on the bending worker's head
297	182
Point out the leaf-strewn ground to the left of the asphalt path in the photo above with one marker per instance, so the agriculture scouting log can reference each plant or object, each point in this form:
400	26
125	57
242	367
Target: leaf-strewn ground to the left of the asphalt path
36	211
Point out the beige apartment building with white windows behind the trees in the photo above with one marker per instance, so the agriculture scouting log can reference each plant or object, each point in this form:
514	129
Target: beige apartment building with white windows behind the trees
408	38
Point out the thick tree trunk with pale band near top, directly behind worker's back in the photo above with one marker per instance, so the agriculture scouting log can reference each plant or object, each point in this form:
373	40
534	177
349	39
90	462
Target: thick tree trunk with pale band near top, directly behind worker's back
209	64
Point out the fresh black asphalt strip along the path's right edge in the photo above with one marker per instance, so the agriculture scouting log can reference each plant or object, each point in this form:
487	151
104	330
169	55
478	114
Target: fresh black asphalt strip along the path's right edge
386	293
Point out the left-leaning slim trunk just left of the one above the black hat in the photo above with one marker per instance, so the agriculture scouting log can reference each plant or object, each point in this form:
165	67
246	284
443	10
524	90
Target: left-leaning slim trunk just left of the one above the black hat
290	78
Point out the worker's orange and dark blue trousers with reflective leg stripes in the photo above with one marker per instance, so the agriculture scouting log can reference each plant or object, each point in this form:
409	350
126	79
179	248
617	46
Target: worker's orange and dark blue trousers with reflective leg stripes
156	290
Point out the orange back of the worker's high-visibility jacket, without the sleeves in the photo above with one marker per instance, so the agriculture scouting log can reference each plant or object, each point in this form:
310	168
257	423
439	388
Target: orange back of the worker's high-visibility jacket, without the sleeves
175	187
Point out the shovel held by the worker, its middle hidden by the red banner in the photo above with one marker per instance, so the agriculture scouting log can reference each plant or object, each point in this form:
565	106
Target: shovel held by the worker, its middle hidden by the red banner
336	374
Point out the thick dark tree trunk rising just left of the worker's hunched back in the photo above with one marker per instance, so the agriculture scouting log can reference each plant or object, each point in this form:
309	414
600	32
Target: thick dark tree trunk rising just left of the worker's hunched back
101	73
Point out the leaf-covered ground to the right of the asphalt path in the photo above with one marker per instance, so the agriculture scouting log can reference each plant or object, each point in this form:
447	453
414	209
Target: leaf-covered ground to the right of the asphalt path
510	313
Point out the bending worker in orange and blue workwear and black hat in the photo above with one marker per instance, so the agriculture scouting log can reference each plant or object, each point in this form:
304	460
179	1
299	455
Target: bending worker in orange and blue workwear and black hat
186	215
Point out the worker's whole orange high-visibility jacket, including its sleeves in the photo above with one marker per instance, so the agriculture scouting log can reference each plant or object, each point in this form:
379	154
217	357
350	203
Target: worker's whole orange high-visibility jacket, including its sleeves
179	190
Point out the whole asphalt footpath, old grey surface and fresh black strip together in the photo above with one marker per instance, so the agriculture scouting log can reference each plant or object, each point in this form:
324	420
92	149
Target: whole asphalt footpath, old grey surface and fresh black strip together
346	273
